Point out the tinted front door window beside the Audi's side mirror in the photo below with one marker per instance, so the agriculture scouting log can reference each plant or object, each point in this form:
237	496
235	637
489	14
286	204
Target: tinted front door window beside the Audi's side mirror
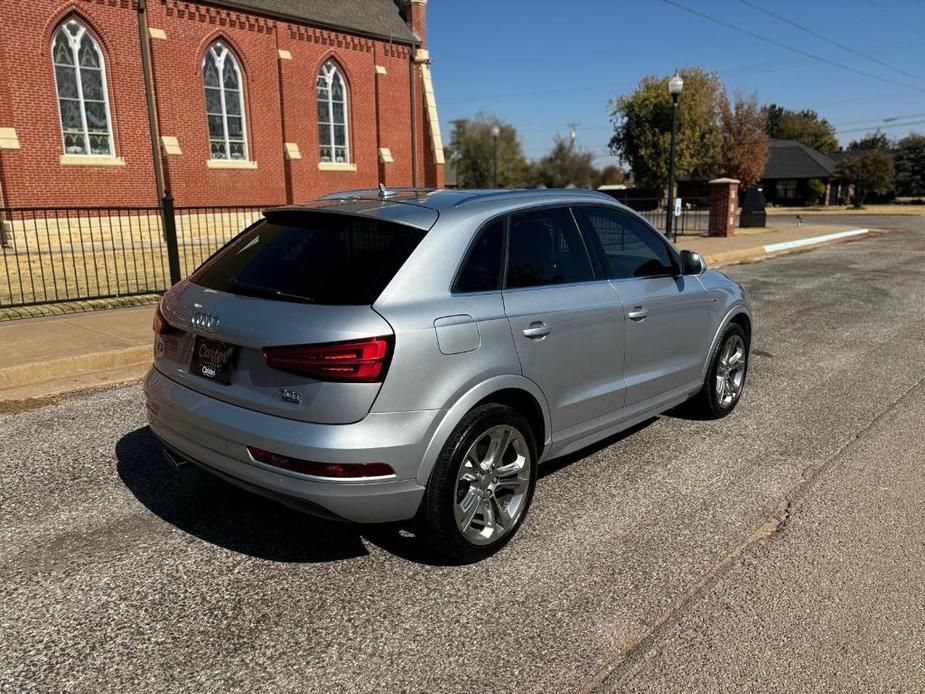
628	247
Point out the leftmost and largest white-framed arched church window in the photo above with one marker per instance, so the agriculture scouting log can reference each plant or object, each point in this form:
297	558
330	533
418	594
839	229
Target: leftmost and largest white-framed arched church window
83	101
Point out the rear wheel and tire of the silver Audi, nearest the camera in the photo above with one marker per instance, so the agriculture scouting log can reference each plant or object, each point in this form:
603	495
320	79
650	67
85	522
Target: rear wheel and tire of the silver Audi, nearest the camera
481	485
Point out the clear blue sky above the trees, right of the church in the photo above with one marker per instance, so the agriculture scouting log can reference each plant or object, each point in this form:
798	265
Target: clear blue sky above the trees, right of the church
541	64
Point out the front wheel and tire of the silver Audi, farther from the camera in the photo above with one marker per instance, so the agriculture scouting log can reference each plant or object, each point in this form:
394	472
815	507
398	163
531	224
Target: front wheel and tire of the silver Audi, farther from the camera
725	381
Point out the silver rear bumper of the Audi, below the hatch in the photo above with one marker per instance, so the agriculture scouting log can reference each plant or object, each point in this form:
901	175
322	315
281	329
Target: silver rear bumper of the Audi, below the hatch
215	435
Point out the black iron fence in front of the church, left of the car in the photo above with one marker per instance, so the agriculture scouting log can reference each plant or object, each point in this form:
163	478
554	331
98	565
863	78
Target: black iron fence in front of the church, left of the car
53	255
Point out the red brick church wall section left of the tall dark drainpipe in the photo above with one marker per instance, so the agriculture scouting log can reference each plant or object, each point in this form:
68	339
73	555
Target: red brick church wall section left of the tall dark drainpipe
33	175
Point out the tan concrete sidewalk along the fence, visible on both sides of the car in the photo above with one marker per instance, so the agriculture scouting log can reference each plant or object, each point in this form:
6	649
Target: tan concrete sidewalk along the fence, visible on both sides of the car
45	357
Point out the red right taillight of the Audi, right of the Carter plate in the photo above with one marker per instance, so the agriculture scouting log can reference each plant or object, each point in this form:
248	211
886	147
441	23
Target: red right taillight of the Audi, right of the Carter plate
356	361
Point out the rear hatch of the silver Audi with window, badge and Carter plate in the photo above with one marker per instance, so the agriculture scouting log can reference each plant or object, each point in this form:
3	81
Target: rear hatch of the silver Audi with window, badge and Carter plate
281	319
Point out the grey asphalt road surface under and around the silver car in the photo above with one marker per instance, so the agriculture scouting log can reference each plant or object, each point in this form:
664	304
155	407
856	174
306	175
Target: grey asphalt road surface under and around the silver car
782	548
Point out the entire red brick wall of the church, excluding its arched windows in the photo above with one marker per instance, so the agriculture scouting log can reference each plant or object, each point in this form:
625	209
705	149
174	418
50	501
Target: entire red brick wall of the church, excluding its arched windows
279	107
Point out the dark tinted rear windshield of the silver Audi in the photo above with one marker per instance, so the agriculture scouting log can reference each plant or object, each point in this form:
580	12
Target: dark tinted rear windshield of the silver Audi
321	259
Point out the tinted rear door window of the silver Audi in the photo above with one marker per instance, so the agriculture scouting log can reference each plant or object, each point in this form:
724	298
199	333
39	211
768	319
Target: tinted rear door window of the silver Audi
546	248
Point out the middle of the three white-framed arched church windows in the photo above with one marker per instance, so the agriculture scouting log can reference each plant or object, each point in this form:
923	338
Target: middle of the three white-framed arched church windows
224	103
